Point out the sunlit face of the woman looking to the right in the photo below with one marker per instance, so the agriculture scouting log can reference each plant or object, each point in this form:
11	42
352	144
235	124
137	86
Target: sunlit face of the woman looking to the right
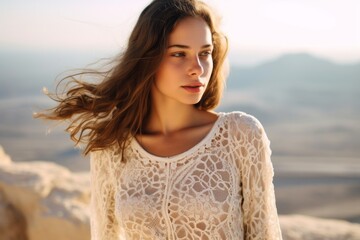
186	68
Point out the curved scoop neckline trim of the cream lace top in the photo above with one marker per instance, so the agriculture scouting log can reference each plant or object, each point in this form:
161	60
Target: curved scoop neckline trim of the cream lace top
135	144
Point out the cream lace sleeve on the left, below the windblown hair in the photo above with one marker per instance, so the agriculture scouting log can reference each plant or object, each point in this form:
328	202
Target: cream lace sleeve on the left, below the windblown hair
102	217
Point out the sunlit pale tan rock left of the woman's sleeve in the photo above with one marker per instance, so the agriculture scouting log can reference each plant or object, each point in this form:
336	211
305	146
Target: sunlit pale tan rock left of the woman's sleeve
45	200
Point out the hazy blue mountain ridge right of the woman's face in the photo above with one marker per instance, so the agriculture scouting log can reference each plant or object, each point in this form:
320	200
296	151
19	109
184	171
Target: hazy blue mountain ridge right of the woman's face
299	70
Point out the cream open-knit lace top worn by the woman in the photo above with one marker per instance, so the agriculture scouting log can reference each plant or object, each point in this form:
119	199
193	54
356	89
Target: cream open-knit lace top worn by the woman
219	189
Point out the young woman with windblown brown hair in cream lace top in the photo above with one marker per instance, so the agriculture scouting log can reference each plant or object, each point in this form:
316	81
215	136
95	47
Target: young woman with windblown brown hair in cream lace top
163	164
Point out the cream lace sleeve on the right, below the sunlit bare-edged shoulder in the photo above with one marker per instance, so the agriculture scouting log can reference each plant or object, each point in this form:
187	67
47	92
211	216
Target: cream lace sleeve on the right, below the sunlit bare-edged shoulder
260	214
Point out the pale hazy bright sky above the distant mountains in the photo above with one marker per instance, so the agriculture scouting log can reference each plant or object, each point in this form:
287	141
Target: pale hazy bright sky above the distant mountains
257	29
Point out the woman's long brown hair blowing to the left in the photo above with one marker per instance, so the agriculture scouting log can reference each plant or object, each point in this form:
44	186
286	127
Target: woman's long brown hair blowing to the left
117	107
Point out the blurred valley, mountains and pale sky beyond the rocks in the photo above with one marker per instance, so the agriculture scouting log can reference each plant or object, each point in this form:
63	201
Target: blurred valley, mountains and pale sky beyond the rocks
295	65
